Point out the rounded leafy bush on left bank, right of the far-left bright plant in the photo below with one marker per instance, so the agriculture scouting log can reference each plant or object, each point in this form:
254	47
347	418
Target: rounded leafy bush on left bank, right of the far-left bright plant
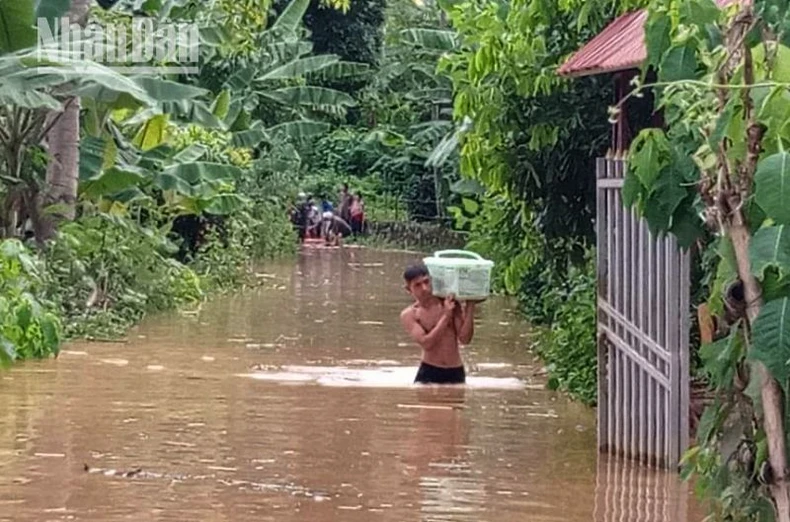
105	273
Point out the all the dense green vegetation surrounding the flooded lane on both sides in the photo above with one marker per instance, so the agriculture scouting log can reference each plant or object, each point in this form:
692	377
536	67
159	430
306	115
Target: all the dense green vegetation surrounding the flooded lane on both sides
121	195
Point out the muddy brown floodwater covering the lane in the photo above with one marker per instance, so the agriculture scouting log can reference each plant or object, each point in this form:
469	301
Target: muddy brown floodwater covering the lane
294	402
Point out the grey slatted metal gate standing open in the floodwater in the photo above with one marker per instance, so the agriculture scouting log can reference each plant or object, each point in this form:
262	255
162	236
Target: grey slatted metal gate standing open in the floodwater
643	332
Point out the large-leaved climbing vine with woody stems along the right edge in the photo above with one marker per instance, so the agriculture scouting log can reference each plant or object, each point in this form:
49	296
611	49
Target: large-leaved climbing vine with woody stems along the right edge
722	162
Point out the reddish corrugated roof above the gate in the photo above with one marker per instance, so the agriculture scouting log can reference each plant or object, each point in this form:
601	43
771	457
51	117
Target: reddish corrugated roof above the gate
619	47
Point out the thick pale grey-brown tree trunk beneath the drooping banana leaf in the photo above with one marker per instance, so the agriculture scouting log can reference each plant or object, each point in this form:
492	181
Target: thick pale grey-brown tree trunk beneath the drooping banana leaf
63	147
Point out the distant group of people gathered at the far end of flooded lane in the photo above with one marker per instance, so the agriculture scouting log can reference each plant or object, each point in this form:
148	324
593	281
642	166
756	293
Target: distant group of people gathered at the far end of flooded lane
323	222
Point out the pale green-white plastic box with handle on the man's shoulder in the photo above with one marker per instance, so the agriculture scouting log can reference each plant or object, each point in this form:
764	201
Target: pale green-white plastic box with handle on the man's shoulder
460	272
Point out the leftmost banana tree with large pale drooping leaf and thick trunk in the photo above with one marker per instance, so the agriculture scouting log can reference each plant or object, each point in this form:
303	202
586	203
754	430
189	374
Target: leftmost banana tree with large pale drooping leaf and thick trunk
40	100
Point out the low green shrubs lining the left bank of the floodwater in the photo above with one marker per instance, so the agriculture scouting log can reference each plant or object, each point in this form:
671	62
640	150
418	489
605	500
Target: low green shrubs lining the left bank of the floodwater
105	273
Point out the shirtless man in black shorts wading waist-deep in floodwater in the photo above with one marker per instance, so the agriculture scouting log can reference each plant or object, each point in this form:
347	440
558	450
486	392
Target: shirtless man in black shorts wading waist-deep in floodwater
439	326
